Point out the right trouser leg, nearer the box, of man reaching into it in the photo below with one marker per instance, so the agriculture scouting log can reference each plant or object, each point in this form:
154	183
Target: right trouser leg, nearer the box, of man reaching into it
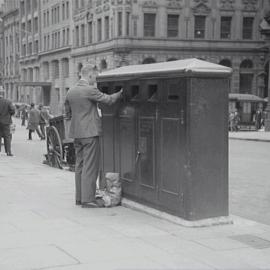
90	169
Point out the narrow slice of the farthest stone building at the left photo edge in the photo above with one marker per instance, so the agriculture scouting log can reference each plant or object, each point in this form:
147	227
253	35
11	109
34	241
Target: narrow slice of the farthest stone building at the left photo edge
10	42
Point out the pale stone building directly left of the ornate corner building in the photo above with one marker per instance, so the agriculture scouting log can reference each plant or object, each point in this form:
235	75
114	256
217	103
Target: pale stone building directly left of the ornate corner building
55	53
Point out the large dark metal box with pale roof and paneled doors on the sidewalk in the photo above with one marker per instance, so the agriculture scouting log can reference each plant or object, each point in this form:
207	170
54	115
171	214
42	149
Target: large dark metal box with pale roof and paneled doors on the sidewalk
168	136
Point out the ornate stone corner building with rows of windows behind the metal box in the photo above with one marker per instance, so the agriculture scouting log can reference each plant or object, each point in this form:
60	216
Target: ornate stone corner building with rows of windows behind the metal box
123	32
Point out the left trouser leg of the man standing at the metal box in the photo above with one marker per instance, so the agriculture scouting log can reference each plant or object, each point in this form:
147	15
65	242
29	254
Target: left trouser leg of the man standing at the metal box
78	169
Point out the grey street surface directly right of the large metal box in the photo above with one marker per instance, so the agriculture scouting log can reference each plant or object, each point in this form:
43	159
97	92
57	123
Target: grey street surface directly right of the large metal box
249	179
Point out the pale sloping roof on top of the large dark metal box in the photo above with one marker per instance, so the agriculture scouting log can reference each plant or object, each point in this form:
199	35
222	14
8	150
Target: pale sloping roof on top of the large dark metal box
188	66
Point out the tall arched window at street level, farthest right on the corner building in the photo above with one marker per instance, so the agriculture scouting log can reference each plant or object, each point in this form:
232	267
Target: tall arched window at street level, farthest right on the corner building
246	76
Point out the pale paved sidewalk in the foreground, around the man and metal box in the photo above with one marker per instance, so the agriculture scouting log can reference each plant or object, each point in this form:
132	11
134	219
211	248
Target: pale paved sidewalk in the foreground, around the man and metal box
41	228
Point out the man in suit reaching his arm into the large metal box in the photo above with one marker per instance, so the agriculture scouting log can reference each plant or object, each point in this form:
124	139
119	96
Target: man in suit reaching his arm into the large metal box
85	128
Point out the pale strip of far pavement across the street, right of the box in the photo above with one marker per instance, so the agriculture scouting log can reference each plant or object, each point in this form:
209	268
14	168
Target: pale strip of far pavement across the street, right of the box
250	135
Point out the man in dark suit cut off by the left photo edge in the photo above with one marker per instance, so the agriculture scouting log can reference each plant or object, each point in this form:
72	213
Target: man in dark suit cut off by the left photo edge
6	111
